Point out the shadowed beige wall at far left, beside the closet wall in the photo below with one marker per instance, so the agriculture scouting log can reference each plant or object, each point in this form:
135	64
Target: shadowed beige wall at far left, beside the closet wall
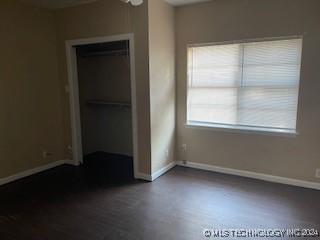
30	119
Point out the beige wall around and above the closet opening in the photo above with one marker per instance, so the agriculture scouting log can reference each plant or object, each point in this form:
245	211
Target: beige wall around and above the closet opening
105	18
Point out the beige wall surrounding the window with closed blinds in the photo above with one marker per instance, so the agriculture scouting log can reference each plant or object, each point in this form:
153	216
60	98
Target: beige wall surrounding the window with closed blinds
224	20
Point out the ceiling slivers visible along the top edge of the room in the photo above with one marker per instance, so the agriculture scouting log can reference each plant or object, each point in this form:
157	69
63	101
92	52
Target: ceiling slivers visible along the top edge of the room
55	4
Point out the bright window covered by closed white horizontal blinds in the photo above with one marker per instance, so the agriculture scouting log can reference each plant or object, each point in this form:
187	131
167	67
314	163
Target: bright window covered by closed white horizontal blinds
251	85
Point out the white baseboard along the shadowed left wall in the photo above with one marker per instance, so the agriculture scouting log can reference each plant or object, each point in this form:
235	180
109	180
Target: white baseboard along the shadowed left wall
30	172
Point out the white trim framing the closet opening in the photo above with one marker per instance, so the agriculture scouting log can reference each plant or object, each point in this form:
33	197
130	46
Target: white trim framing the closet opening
74	93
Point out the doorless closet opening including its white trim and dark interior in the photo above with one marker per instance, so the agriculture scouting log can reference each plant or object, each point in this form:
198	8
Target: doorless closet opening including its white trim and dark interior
103	107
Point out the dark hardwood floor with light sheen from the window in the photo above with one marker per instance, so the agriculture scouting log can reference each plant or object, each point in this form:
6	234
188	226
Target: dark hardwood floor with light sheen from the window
82	203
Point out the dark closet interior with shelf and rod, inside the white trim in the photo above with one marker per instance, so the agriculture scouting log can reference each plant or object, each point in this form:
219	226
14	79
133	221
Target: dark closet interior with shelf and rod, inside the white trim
105	107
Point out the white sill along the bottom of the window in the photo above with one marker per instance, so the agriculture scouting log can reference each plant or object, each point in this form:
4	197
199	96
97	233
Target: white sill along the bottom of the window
243	129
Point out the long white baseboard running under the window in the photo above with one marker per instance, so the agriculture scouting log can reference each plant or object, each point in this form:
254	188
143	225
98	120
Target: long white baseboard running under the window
248	174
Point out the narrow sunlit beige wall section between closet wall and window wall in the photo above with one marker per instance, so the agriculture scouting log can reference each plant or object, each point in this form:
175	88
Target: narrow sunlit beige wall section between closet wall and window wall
162	83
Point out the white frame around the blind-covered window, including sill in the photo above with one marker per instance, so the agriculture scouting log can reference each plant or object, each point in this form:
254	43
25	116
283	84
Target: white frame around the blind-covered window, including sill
242	128
